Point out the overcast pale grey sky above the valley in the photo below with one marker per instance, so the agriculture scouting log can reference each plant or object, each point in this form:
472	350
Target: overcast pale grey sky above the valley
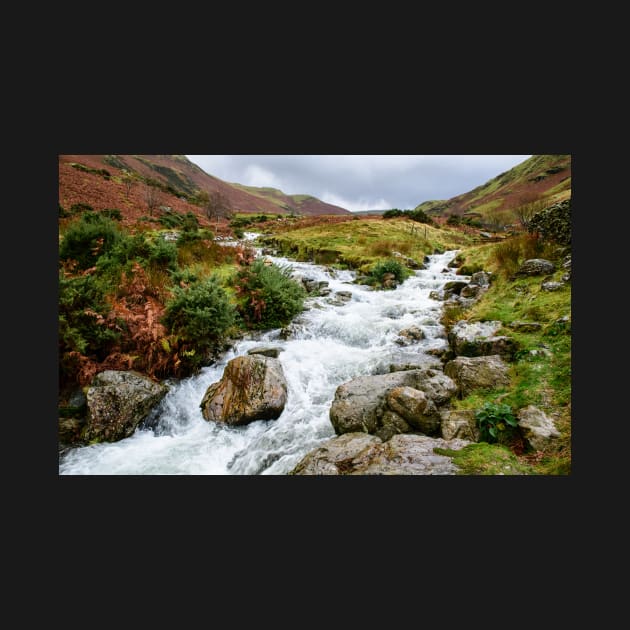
361	182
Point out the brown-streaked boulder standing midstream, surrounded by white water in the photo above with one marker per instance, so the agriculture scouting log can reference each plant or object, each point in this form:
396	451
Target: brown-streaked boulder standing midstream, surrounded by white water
253	387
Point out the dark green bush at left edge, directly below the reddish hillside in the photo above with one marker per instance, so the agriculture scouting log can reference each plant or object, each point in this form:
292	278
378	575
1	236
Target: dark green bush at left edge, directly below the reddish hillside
88	238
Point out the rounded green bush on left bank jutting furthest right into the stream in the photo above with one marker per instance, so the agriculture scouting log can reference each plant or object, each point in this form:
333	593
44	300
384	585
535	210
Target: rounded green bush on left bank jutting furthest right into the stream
269	298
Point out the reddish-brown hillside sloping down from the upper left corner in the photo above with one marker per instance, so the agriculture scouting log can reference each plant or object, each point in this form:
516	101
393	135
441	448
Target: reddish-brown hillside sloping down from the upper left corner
100	181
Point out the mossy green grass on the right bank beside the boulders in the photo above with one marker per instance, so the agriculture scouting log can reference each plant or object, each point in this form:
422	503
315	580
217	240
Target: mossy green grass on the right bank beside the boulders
542	379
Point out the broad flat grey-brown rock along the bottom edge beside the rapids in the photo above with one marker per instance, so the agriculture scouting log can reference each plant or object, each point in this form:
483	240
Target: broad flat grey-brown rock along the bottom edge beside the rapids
359	454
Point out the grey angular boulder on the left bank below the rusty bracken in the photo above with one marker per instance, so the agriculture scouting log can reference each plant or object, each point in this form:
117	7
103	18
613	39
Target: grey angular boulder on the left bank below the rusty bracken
117	402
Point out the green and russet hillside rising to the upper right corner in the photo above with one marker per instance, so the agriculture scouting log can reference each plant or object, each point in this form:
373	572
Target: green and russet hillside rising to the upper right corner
541	176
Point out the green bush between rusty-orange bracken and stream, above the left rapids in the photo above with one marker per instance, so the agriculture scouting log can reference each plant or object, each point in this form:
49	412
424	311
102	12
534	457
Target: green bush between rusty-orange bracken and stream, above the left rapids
200	317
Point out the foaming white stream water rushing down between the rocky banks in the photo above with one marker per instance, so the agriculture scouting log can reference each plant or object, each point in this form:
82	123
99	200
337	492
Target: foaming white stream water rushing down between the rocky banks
328	345
